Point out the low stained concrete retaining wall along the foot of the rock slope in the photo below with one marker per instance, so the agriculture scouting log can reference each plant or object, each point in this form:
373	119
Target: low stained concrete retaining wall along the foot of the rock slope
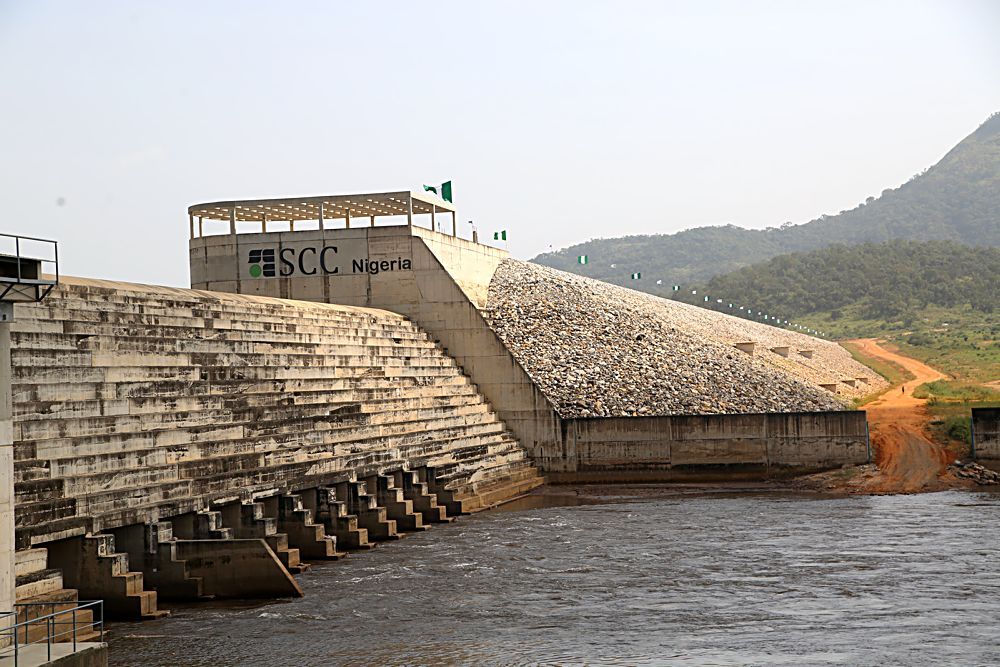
711	446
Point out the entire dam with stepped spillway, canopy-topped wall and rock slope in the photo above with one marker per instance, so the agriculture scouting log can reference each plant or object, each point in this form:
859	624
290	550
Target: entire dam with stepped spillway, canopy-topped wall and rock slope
325	386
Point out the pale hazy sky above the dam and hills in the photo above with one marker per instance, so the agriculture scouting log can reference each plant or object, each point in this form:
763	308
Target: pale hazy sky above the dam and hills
557	121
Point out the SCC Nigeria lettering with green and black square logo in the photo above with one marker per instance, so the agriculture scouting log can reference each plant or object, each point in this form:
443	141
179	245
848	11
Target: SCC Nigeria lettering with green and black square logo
317	260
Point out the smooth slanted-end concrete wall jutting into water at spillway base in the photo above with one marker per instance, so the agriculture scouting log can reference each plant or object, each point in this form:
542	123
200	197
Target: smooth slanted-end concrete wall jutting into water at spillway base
240	568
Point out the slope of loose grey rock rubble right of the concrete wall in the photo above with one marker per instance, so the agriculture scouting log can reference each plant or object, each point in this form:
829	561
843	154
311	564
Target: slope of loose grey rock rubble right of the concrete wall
600	350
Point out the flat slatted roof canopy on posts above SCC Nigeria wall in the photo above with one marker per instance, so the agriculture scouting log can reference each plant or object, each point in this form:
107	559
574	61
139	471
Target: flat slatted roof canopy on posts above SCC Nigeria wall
323	206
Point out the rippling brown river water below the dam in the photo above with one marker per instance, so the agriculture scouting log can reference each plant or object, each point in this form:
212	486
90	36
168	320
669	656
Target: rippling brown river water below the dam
705	579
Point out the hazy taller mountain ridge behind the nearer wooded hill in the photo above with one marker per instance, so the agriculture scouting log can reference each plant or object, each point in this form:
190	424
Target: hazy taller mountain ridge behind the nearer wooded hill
958	199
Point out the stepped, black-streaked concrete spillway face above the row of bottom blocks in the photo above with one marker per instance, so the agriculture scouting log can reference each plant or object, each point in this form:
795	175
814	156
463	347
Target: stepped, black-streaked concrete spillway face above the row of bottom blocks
135	403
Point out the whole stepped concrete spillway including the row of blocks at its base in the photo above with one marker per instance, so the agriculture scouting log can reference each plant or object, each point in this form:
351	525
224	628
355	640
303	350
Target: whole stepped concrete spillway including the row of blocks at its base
150	413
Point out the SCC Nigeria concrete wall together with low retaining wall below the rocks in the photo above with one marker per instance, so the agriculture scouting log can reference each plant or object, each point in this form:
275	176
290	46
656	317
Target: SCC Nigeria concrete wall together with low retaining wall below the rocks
442	283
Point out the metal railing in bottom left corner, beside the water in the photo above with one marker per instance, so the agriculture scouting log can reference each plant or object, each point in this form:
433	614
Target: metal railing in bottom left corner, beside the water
17	637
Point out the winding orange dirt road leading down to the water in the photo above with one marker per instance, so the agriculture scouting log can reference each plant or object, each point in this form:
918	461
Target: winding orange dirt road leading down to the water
906	459
